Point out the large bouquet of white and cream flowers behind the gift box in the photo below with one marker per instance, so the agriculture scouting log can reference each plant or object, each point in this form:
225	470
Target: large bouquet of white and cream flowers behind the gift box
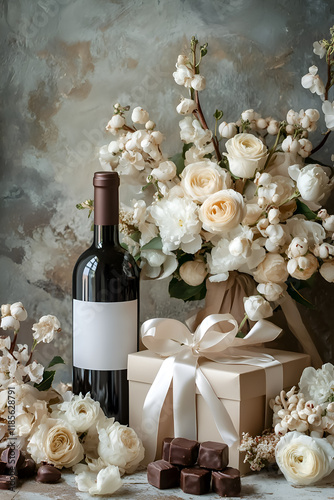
238	204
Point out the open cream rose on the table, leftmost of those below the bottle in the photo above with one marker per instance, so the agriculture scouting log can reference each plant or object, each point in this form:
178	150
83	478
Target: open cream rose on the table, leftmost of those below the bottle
56	442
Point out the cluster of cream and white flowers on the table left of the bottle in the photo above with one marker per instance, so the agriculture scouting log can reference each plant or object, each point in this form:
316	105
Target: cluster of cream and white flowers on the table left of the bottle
53	427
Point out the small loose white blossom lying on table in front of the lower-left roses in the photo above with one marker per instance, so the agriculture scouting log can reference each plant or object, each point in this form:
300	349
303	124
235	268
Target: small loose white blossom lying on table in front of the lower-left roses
106	482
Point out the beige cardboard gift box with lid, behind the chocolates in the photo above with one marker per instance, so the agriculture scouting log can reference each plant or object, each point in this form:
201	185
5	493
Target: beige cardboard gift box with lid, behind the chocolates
242	388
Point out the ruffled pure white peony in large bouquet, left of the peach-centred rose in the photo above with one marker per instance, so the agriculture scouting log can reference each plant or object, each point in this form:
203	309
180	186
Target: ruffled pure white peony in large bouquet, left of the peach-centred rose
178	224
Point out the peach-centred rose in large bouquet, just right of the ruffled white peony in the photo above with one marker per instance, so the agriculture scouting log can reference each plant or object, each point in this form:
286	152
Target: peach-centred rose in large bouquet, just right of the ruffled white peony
222	211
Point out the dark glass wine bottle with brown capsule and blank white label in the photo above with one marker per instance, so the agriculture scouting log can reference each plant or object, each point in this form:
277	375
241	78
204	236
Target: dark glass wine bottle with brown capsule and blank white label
105	307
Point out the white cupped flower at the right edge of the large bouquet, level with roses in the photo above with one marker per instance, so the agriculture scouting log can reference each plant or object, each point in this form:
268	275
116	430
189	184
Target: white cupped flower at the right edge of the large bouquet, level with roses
312	181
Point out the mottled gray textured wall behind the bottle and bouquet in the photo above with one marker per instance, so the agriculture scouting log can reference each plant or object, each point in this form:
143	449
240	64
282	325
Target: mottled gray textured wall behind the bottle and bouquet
65	62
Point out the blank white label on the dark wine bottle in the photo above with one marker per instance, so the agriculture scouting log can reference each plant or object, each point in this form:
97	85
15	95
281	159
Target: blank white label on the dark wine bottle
104	333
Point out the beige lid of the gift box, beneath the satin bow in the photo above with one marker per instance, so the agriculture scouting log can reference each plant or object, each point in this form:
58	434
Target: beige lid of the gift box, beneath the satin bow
229	381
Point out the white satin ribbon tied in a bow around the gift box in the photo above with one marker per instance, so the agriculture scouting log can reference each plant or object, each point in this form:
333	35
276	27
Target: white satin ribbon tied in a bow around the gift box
172	340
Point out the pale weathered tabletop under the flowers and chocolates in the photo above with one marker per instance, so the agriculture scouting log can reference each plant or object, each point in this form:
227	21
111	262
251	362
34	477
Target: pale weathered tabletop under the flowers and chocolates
267	485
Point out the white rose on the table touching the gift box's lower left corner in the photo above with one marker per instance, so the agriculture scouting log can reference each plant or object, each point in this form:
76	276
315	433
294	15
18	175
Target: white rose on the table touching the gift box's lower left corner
119	445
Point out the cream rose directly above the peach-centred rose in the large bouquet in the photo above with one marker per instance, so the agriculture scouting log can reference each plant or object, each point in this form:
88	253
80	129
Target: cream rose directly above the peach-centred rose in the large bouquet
203	178
